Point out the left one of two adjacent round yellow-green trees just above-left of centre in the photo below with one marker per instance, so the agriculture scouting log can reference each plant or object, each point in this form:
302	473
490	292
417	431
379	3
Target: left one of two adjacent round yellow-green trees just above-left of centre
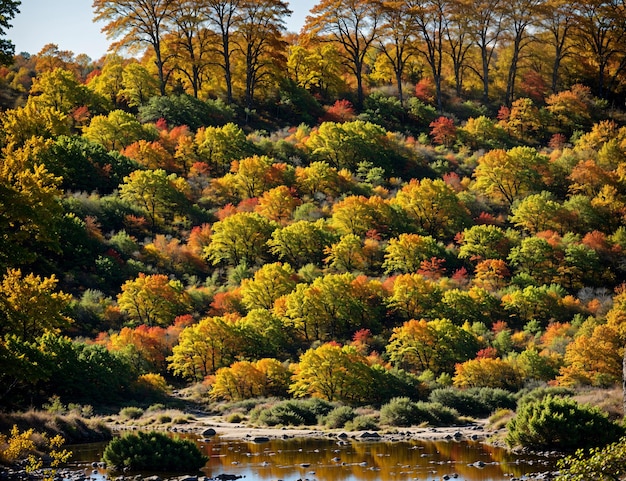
239	237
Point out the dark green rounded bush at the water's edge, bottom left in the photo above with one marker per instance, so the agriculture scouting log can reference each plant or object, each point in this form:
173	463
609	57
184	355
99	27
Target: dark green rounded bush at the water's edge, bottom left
154	451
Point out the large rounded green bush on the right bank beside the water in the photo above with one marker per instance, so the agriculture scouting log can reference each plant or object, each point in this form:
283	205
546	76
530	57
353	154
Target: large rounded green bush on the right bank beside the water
561	424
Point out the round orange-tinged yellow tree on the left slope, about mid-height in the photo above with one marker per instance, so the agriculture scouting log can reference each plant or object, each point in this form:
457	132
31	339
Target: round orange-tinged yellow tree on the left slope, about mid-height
153	300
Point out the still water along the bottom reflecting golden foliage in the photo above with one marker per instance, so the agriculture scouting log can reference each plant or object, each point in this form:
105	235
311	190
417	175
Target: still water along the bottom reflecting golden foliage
355	460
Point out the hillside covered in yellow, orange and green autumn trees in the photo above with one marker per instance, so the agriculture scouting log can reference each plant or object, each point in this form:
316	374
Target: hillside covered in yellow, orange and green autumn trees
403	196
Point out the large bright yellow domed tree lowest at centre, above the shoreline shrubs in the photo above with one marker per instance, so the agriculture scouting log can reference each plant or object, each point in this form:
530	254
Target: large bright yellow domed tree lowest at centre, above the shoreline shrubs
333	373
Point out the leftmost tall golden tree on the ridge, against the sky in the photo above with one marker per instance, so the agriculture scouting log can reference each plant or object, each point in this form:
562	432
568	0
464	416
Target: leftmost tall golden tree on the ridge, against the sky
138	22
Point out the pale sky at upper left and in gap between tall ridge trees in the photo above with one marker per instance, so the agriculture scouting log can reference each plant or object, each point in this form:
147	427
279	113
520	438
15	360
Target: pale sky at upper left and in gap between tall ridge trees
69	25
